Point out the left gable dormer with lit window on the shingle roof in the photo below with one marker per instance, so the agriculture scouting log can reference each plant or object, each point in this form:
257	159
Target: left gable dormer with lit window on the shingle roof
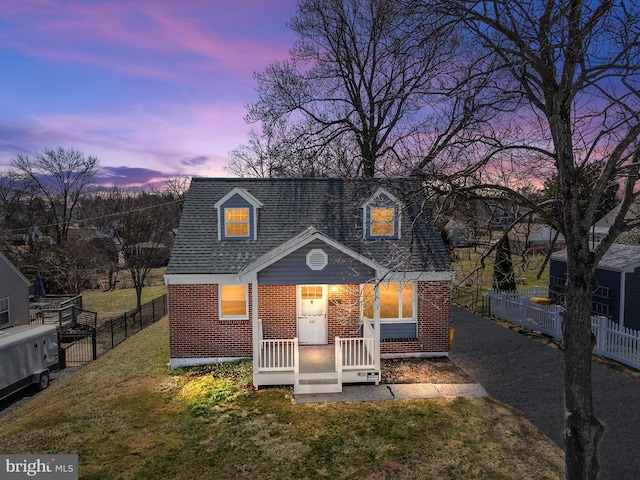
238	215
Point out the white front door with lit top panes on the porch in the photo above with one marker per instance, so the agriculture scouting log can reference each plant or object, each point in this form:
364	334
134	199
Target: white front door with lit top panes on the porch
312	314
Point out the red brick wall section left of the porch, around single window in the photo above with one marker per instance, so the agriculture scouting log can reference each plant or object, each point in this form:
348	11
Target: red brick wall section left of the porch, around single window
195	331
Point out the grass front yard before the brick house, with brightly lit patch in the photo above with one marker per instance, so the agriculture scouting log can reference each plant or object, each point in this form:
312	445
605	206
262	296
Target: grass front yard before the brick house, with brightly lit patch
128	417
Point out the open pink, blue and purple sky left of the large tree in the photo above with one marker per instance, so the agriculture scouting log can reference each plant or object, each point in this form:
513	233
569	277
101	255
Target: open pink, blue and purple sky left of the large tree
150	87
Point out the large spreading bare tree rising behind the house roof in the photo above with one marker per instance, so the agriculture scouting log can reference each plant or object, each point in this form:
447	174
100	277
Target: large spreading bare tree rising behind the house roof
379	76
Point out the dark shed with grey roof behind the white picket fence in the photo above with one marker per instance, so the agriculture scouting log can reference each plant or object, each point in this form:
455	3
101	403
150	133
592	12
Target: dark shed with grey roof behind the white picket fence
618	277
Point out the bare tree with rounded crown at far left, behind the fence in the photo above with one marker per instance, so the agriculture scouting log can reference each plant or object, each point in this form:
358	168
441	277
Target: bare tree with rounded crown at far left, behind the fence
60	177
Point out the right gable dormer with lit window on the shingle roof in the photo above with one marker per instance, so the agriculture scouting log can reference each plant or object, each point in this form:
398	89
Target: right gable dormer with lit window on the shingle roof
381	216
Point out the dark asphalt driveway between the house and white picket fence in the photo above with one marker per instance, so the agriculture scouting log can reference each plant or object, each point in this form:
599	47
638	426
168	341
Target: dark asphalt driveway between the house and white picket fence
527	374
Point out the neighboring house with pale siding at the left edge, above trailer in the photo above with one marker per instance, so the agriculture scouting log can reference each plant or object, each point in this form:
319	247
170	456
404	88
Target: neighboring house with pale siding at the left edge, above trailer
14	295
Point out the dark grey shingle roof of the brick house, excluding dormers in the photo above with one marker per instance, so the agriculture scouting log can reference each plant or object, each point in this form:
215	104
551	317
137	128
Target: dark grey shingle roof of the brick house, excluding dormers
291	206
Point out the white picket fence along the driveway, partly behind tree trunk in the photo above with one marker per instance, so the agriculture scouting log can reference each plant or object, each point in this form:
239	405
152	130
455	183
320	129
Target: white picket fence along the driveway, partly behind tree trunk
612	341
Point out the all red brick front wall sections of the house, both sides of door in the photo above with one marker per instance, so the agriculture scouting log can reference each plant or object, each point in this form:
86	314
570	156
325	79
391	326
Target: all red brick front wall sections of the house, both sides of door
196	331
